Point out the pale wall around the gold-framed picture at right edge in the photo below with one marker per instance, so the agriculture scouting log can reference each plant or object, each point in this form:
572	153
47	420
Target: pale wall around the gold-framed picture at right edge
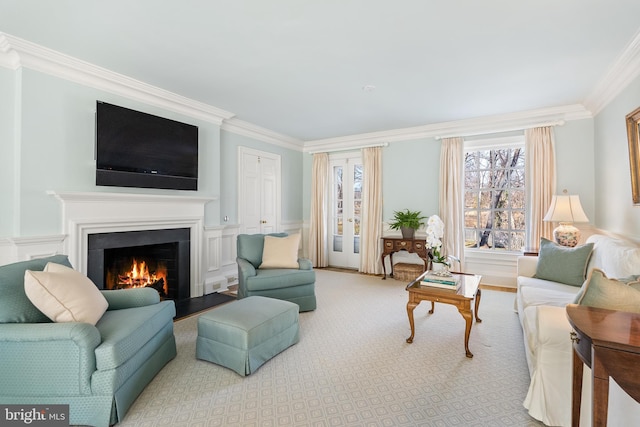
614	207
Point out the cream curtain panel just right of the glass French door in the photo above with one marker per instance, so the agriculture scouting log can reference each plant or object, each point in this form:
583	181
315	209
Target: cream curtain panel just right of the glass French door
371	215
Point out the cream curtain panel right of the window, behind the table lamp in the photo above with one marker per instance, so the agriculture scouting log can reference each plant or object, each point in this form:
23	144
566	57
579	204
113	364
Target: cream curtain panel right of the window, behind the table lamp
540	176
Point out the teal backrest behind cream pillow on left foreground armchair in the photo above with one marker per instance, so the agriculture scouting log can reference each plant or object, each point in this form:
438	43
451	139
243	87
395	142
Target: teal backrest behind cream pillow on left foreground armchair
15	306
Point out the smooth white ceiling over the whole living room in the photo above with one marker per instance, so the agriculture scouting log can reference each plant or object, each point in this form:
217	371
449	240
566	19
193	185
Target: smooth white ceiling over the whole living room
298	67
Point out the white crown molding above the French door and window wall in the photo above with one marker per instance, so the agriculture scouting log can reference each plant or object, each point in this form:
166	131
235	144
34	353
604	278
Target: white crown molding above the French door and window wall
476	126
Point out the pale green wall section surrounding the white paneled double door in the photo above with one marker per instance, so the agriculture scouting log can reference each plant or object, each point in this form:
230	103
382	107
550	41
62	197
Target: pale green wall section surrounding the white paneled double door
291	171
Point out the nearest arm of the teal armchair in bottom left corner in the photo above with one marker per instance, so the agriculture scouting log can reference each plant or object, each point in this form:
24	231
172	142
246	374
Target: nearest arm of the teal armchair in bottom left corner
47	358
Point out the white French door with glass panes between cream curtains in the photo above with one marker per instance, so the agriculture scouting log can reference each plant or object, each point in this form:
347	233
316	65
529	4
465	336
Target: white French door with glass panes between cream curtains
345	210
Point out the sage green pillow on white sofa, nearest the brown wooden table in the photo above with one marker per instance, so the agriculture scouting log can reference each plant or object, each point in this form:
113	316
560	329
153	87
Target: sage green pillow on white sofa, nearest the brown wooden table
612	294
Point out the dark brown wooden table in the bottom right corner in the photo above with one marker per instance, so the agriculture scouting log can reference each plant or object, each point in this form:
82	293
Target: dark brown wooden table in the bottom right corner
608	342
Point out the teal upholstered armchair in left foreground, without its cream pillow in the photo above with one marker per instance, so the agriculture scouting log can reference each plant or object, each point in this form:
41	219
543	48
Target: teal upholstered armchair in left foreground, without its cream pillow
98	370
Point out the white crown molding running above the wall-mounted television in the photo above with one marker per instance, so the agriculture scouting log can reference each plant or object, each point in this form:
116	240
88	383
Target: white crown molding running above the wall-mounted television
16	52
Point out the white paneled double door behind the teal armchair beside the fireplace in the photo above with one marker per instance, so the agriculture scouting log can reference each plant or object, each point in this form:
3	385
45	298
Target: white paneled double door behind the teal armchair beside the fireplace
259	191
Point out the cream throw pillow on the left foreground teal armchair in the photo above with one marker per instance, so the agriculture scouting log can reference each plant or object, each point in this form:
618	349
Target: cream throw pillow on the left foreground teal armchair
64	294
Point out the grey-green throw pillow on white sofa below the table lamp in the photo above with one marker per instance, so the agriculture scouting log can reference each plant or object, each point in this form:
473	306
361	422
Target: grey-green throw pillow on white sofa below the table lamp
563	264
